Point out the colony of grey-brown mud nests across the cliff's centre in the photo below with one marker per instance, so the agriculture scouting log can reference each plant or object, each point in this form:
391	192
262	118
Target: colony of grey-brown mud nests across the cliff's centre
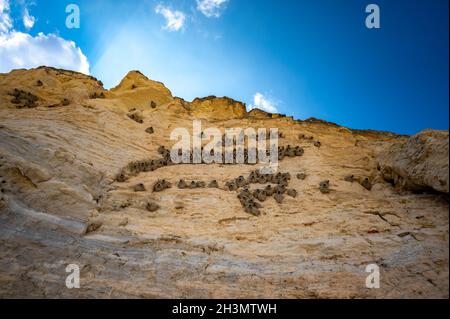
276	185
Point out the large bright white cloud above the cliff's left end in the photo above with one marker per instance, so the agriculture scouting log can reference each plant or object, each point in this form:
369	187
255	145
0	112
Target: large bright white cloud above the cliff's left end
21	50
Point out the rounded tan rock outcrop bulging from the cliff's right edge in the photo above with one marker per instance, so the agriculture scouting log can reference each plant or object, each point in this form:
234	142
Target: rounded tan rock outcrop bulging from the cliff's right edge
418	163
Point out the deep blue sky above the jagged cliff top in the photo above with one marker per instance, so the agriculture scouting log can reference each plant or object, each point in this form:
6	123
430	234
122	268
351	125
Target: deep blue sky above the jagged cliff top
305	58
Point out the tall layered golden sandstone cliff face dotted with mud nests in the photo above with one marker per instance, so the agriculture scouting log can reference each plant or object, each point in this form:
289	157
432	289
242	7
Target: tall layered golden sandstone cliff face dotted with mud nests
61	201
